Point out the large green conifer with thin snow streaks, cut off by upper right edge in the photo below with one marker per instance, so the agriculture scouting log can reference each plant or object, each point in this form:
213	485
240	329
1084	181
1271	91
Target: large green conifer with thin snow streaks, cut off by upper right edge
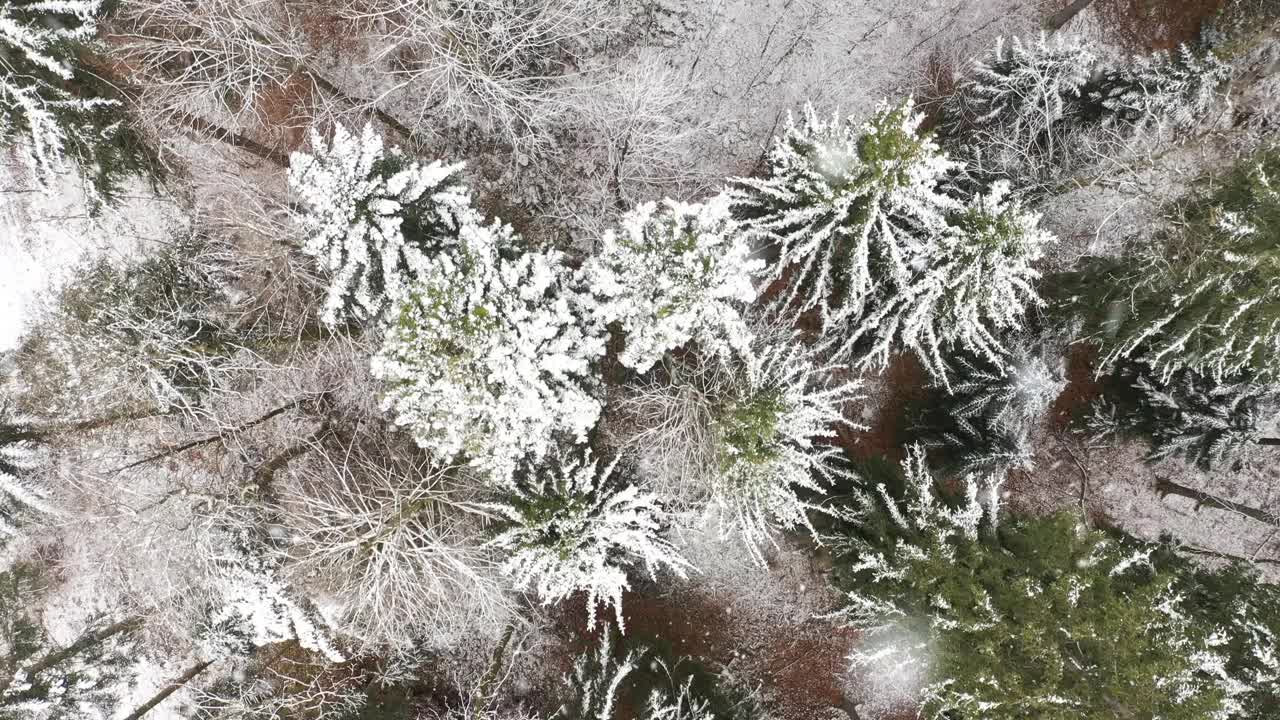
1206	295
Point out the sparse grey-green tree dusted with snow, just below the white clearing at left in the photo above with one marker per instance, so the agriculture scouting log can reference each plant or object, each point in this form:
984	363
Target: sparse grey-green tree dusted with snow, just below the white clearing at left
147	336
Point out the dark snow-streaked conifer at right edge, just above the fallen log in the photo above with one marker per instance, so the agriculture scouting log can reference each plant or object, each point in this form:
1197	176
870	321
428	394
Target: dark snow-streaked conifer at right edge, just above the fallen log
1188	416
